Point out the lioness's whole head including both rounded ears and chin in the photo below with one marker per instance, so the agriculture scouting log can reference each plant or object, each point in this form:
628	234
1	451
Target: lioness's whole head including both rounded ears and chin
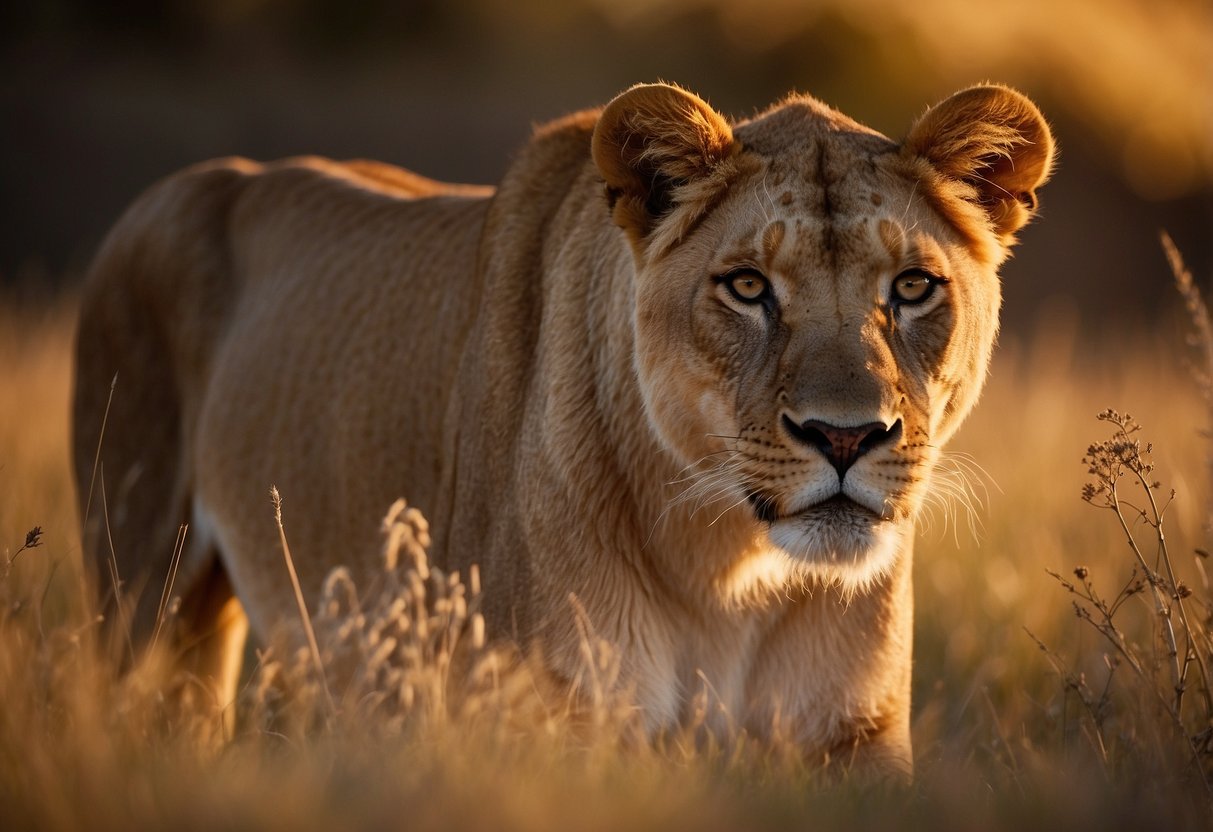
816	305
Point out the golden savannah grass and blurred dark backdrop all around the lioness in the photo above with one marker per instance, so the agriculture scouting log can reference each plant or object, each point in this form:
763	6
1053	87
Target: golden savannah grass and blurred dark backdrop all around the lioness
1063	648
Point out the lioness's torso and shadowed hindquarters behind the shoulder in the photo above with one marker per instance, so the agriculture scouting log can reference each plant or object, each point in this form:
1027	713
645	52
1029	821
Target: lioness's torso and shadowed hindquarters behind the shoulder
261	321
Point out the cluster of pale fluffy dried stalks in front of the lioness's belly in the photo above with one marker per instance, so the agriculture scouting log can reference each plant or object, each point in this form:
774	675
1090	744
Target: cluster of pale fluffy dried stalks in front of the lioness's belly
390	654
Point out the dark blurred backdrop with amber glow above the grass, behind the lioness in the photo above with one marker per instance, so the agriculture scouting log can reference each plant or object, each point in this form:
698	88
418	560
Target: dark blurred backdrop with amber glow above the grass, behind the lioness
100	99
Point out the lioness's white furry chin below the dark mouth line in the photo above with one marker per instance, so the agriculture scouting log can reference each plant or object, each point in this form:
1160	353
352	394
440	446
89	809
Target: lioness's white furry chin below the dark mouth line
840	543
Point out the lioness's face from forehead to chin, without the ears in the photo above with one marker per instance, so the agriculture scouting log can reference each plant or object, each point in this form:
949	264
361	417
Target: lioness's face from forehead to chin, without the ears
807	366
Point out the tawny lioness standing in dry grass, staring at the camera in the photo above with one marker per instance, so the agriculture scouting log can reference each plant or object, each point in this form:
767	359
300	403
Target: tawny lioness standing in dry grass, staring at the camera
686	375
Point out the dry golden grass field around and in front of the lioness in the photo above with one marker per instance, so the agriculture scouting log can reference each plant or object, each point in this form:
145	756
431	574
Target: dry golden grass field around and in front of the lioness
436	731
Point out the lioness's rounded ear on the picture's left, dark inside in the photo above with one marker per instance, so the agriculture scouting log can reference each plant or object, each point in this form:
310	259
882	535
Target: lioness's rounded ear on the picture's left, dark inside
651	143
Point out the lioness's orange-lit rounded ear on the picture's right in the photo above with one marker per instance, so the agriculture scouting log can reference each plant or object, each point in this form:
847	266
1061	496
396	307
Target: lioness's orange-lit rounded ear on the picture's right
994	140
